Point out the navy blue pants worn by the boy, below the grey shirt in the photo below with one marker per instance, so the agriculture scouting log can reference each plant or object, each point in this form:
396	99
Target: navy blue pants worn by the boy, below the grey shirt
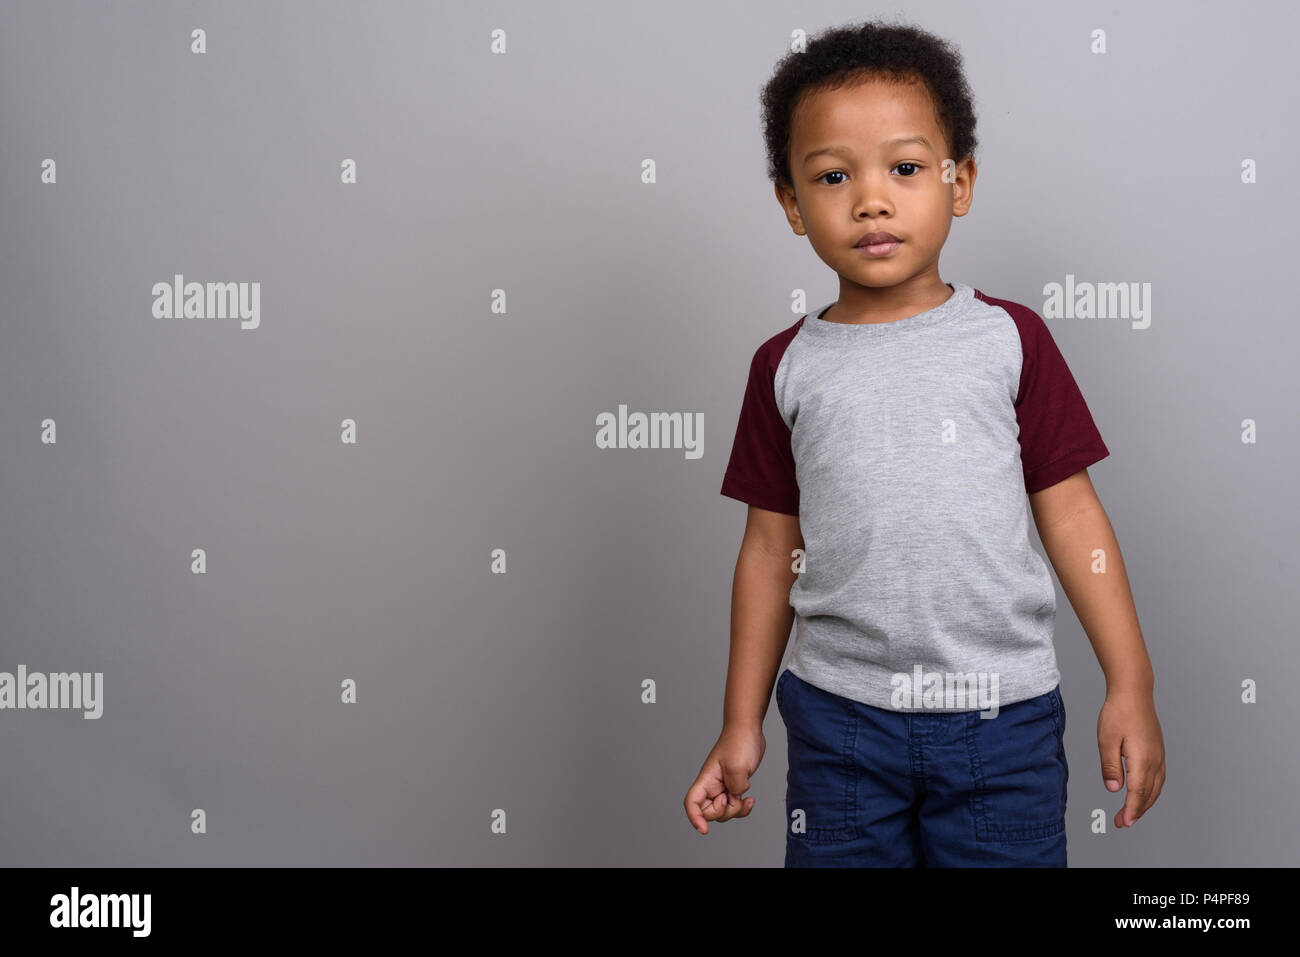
883	789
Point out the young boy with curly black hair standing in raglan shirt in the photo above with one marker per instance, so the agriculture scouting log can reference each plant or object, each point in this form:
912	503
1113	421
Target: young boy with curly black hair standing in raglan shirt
887	448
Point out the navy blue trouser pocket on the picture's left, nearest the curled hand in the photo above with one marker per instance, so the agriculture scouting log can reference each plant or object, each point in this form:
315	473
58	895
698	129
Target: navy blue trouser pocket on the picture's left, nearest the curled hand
821	733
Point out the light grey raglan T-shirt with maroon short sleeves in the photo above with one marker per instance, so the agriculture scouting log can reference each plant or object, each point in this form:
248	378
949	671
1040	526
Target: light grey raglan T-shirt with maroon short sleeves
908	451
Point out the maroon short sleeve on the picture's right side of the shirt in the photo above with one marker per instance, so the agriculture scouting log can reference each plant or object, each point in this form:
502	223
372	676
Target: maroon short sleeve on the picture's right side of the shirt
1059	436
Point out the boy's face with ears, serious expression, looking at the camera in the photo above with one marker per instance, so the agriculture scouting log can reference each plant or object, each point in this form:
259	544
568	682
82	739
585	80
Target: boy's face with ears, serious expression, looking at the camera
873	184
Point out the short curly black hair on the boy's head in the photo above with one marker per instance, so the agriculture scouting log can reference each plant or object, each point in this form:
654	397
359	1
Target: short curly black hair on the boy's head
850	54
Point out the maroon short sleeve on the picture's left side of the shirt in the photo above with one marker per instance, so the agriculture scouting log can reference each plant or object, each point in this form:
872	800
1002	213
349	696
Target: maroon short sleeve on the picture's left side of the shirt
761	470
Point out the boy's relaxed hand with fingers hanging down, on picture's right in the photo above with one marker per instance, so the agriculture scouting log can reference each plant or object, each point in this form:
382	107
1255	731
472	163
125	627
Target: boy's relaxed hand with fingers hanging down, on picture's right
1128	726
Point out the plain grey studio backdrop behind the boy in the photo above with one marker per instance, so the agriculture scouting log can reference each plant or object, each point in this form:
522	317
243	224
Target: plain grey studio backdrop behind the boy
522	172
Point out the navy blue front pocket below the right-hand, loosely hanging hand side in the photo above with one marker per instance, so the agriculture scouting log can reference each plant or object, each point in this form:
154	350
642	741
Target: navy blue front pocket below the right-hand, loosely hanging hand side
1019	772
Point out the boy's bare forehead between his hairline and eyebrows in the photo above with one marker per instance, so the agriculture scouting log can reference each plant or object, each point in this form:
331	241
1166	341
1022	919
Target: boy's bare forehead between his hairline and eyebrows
864	112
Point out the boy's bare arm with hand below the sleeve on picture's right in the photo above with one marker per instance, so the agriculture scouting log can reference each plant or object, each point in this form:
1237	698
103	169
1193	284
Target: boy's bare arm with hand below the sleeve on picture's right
1081	543
